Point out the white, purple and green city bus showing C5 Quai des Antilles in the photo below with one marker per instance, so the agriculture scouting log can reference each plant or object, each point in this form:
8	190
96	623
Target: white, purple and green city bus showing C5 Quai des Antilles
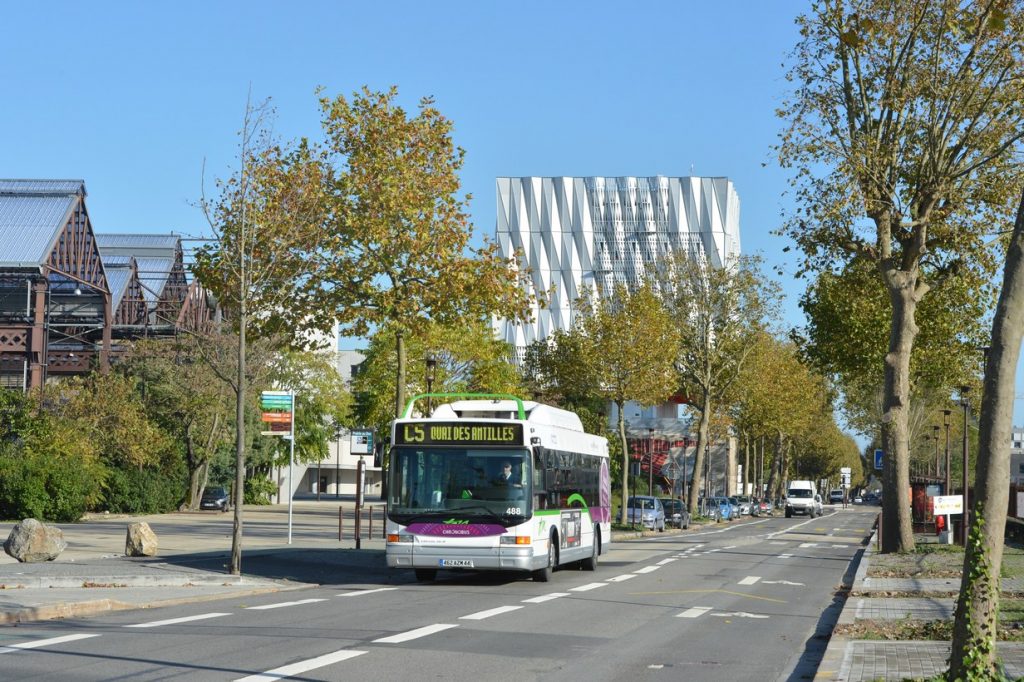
494	483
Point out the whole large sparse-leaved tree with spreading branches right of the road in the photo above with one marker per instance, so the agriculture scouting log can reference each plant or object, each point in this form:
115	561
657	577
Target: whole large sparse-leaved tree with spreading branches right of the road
902	133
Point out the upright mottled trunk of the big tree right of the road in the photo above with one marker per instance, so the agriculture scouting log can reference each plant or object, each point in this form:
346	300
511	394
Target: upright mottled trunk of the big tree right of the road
895	415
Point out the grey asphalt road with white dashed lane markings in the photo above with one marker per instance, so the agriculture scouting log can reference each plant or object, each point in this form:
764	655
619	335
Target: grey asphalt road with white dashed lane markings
751	601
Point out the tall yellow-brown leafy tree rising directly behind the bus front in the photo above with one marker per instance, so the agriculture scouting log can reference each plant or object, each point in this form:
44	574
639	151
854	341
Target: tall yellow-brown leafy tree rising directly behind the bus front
398	251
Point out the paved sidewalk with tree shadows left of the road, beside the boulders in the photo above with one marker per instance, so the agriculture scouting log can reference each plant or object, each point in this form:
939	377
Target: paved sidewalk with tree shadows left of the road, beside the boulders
93	576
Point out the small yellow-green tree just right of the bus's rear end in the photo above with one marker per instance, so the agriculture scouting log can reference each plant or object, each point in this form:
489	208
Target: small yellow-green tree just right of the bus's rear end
629	342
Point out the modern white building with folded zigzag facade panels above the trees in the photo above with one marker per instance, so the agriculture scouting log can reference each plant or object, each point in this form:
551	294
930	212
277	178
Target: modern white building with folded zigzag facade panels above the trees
579	233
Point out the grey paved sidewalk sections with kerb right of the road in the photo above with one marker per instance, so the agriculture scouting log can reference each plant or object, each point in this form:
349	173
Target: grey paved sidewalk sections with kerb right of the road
850	660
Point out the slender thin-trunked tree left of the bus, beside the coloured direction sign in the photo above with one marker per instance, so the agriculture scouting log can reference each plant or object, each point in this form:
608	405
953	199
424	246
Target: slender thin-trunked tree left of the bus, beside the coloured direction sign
265	221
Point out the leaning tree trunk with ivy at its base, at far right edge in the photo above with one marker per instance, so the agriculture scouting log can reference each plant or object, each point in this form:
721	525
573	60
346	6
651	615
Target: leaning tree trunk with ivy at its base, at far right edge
974	626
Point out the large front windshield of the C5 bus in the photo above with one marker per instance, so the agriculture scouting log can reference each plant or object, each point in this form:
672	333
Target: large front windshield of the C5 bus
490	485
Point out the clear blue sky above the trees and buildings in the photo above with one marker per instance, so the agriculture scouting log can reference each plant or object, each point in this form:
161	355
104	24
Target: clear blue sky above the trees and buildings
133	98
